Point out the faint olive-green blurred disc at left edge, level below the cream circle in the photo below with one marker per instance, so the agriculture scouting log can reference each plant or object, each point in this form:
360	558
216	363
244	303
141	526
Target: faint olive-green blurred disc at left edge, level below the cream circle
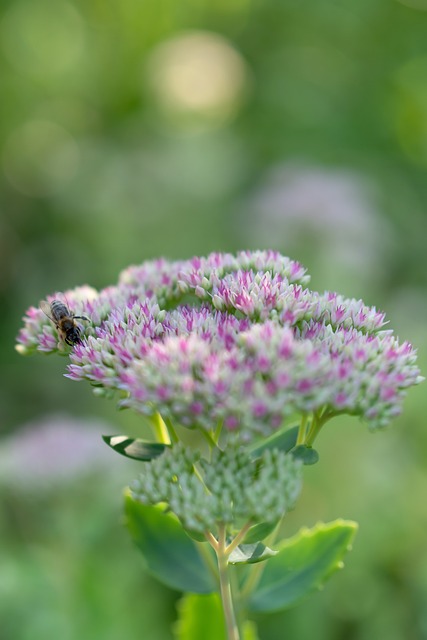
40	158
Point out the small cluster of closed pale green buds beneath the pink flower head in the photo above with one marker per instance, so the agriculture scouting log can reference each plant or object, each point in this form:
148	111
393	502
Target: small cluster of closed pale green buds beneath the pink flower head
231	488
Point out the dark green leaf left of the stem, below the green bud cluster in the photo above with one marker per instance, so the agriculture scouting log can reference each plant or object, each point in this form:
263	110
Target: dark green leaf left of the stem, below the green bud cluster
169	554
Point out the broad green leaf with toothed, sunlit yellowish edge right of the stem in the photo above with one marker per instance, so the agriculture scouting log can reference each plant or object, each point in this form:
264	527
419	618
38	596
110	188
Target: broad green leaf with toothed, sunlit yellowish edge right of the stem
303	564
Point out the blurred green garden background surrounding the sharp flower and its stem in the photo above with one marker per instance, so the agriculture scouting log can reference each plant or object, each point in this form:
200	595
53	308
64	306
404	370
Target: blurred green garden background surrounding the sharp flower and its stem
140	128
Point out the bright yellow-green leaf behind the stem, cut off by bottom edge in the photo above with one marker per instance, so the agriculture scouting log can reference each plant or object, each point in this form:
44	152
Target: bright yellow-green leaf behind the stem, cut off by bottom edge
202	617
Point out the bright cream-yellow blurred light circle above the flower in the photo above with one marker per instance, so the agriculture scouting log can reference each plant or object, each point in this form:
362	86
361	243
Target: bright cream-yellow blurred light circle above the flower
197	78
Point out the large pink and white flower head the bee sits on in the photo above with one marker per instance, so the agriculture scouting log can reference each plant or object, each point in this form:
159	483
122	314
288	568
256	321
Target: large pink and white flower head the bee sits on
237	339
